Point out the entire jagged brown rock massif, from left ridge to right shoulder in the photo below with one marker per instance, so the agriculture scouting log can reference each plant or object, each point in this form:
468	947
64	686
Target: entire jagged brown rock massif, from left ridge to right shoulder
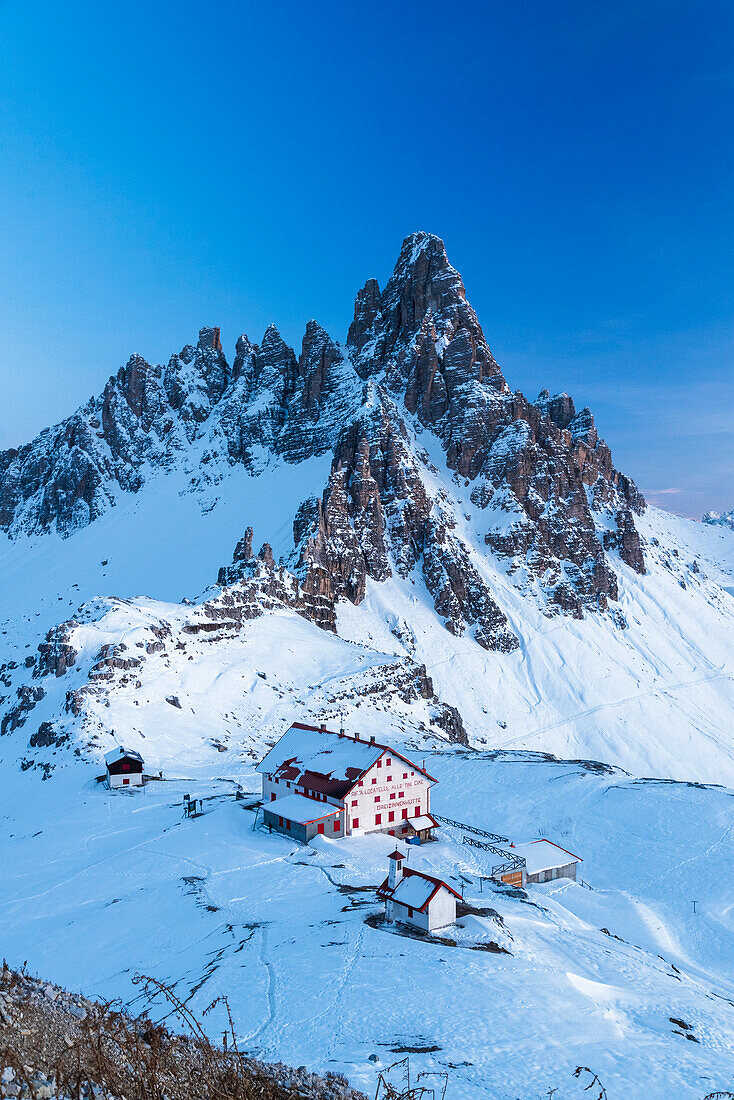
553	502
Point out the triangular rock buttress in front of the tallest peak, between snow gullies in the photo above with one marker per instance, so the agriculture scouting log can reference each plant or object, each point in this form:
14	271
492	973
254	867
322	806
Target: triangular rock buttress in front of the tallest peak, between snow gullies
377	515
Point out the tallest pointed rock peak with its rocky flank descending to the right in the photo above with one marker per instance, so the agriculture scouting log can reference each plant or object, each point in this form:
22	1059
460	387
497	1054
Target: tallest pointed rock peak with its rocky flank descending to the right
542	461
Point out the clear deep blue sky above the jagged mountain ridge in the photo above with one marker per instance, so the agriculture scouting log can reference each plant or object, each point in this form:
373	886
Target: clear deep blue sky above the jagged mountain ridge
169	166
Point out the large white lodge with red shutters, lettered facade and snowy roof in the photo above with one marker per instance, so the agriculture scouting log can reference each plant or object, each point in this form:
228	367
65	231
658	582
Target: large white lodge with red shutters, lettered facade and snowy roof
374	788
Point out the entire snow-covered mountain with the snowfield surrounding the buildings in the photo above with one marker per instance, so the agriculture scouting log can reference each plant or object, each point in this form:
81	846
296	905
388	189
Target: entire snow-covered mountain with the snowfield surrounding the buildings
381	534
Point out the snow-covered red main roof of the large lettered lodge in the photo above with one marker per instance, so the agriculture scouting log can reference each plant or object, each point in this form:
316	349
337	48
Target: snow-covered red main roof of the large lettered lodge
325	762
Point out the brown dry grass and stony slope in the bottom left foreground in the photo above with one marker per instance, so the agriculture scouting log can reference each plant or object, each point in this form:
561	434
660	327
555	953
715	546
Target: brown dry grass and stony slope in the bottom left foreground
56	1044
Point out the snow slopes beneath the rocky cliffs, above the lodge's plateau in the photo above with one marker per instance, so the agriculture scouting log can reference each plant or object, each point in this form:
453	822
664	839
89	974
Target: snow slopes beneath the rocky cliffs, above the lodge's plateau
648	687
